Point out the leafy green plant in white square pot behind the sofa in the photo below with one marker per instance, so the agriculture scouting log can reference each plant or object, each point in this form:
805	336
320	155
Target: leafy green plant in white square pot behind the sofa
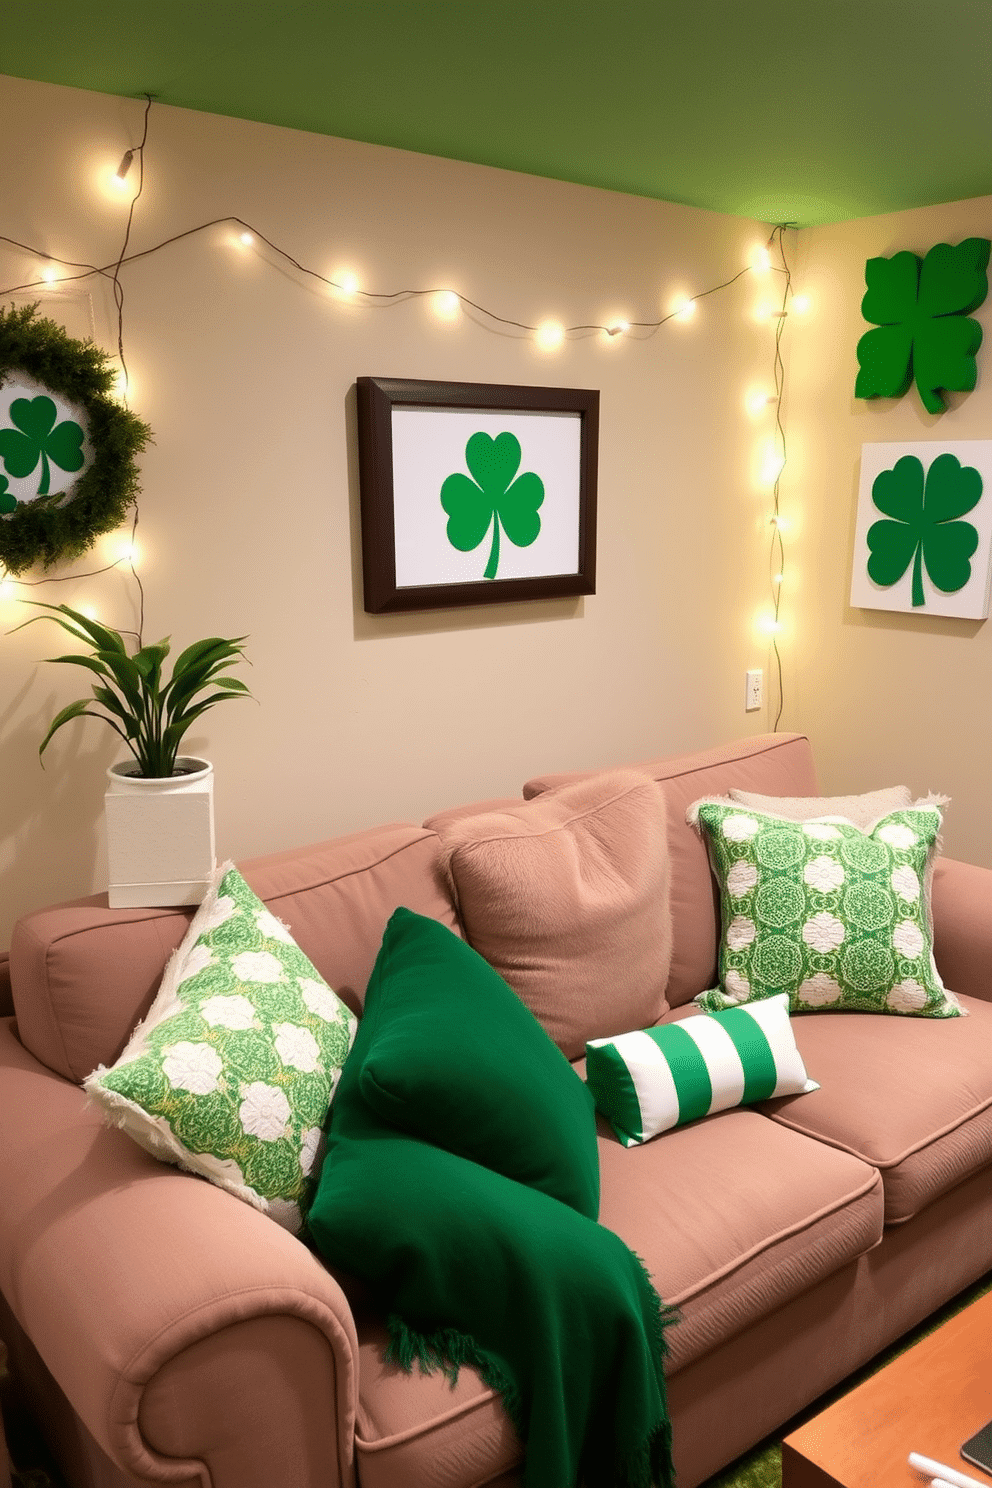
160	803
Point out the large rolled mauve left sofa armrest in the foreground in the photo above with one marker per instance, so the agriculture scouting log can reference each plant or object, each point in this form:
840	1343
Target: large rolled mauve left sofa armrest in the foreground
196	1340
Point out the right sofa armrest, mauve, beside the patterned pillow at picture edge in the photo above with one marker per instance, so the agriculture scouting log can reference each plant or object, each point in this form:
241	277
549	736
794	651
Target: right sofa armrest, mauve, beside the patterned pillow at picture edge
962	899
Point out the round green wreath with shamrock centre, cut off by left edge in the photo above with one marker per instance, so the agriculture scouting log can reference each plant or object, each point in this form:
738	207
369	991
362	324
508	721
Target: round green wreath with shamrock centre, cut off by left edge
42	530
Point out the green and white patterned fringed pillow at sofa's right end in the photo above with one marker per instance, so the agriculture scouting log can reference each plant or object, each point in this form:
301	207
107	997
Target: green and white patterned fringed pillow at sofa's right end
837	917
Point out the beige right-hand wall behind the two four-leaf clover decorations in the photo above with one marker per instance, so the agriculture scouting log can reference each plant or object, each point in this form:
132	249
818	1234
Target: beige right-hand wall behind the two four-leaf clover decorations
884	697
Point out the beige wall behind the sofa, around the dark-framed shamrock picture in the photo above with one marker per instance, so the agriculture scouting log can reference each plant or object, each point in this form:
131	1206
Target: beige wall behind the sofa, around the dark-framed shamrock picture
246	371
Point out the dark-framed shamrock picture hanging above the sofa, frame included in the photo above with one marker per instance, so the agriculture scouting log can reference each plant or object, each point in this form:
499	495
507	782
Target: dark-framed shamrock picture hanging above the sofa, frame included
475	493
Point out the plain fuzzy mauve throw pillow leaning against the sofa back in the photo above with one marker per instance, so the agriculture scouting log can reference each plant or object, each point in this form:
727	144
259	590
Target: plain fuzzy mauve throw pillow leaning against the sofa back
567	898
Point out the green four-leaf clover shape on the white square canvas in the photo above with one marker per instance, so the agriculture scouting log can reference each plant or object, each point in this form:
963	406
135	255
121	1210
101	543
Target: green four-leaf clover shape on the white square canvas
924	527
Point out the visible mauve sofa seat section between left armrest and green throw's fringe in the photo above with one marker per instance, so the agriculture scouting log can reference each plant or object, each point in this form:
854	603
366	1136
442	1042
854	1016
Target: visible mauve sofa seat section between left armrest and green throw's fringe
423	1431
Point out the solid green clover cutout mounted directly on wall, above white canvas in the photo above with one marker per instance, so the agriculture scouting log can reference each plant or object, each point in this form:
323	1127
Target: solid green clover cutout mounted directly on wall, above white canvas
923	330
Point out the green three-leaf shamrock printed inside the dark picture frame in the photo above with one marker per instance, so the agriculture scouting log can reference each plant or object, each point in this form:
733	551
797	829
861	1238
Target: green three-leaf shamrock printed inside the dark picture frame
493	498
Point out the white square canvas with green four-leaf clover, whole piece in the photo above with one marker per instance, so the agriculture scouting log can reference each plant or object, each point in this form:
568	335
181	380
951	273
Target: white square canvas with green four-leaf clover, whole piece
924	533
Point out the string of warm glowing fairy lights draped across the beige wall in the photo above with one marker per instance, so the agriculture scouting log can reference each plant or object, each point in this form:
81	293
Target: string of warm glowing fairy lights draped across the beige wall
550	336
